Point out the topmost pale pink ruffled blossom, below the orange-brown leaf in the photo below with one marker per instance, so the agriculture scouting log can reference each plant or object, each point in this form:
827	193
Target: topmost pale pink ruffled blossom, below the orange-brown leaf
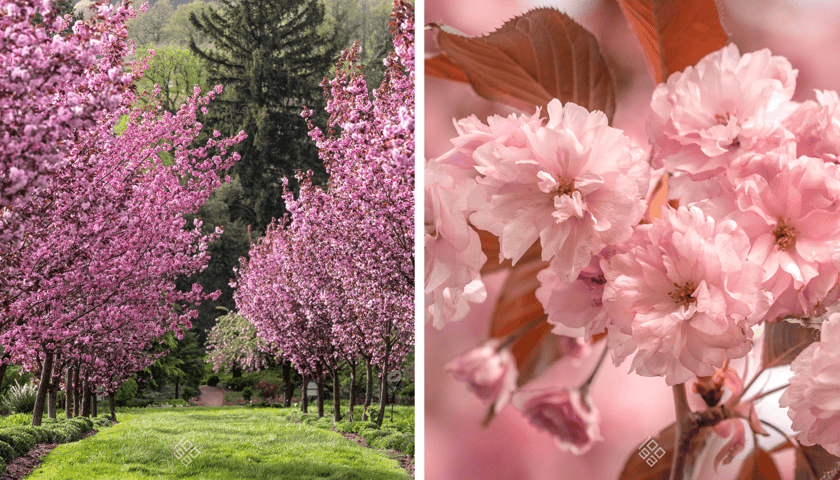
726	105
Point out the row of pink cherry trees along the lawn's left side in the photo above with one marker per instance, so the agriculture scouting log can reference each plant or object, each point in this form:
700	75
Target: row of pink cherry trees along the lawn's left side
93	228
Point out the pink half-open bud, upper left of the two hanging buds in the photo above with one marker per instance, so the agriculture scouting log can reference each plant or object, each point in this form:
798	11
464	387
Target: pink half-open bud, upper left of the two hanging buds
489	372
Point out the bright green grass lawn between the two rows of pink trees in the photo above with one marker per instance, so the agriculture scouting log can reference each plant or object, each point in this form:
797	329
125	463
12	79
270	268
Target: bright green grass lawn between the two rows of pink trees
234	443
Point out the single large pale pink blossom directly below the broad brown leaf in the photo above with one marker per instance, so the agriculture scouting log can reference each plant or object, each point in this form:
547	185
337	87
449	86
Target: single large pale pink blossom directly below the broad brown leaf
576	184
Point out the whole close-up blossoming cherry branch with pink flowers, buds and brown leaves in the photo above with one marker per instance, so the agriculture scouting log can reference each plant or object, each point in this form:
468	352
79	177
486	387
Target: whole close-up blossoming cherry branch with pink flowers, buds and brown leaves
747	241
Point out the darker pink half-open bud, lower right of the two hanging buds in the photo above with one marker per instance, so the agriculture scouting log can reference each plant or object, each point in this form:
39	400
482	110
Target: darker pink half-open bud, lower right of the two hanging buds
565	414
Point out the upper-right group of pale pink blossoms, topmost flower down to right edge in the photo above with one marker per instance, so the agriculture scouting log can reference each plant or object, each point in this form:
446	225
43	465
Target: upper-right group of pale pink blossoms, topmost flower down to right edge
739	148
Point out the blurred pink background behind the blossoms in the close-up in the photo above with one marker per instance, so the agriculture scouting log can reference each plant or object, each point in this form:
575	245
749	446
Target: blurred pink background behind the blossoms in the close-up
632	407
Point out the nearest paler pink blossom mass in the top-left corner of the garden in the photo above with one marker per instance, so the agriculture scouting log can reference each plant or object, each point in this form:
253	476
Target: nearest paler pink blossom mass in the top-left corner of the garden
53	84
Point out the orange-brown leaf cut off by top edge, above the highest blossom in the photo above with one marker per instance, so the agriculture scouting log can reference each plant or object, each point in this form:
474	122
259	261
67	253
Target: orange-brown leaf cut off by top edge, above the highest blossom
674	33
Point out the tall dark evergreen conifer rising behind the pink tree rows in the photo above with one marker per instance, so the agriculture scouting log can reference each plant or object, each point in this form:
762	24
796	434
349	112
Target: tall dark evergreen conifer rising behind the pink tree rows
271	57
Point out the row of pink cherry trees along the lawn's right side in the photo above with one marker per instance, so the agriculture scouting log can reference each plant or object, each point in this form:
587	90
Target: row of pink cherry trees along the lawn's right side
334	280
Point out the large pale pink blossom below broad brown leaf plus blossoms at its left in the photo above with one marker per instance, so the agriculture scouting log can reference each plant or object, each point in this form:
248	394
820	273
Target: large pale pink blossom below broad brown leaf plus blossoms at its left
574	183
